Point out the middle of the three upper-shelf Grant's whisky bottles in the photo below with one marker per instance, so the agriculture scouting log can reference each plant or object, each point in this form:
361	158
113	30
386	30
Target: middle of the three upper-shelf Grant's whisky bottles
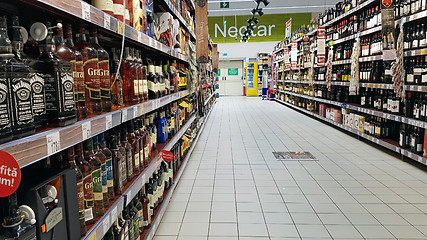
90	68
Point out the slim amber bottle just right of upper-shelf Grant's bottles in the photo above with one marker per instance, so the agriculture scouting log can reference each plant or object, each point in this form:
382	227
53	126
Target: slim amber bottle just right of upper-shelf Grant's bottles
116	81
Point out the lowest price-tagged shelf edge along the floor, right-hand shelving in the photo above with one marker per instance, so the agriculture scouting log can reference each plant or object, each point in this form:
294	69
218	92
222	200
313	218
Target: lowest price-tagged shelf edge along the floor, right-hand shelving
378	141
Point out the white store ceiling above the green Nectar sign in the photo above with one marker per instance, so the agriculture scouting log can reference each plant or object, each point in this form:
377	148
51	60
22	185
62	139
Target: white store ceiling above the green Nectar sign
243	7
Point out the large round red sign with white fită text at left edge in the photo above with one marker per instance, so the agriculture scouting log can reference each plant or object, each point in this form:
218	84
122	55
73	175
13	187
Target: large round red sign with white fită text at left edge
10	174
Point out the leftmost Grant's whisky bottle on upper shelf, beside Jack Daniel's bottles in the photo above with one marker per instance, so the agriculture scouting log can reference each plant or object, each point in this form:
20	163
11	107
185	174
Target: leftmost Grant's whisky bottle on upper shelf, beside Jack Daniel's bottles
78	76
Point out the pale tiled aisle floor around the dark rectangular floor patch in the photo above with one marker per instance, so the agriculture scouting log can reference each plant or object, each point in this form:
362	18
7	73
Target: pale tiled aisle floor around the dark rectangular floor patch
233	187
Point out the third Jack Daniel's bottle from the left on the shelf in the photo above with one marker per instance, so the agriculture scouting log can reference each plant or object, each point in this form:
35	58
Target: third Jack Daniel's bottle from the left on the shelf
37	82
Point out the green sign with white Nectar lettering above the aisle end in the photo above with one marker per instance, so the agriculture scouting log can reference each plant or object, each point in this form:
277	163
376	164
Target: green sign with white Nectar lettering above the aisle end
271	27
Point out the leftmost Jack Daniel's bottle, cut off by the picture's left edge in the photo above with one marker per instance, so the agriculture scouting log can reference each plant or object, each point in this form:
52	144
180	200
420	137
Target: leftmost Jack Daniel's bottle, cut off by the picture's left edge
5	100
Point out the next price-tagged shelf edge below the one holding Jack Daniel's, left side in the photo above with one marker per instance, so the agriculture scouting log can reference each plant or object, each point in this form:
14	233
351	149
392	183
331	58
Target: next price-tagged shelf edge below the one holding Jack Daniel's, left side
106	221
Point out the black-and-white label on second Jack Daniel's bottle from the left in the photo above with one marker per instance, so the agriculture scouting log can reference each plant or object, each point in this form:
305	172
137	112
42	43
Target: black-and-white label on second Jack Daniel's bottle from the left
21	97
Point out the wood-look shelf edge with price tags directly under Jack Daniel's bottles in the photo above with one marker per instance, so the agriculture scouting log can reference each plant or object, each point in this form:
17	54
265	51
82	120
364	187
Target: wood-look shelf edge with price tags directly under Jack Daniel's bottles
41	145
